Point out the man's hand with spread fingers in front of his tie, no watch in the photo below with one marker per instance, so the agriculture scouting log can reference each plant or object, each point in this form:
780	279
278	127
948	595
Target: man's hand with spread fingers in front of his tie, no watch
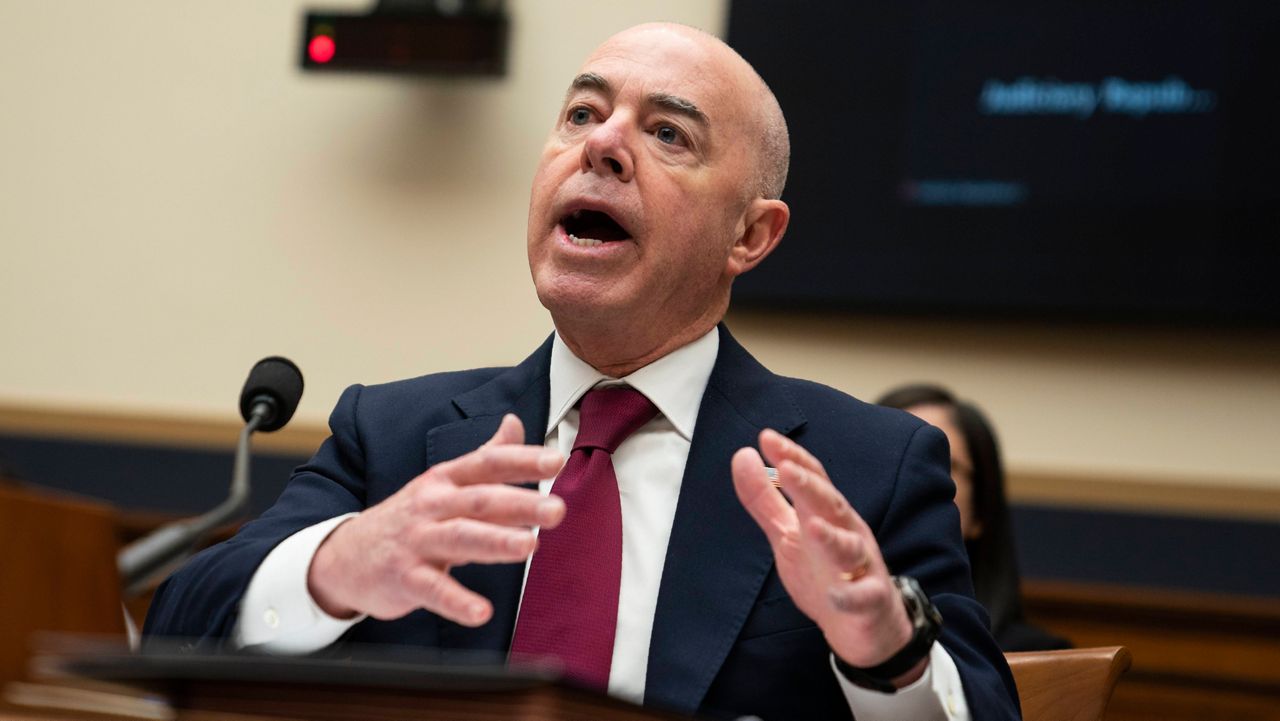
395	558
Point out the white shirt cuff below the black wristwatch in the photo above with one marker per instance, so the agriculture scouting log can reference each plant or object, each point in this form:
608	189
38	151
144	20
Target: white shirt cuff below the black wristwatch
938	696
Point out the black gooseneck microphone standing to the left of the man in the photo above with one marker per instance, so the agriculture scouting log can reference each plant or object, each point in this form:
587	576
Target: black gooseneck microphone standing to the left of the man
268	401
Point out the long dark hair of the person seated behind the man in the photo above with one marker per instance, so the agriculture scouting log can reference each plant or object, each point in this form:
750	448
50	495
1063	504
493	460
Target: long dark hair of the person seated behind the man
993	555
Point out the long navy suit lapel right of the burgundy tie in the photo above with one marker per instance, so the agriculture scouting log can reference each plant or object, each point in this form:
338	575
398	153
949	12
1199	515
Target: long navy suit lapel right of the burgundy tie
719	558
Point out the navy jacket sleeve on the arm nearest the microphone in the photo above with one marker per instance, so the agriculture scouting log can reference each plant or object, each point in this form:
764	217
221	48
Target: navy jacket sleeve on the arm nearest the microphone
200	603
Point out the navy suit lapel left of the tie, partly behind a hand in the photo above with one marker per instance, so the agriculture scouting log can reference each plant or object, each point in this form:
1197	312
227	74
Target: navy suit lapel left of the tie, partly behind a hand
524	391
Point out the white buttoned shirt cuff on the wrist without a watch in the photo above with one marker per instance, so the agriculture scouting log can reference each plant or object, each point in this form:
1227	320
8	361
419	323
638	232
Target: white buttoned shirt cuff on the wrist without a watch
278	614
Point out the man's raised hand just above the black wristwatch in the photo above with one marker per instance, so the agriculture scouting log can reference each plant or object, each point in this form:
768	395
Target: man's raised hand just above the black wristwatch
825	554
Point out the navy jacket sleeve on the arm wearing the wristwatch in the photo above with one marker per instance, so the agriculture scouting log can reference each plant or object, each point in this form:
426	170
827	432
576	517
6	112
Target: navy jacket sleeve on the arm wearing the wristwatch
920	537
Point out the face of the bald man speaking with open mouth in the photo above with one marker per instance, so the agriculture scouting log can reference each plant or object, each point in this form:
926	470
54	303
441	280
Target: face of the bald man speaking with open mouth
641	191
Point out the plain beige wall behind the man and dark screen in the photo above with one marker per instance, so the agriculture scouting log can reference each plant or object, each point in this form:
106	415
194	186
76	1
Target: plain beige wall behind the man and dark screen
180	200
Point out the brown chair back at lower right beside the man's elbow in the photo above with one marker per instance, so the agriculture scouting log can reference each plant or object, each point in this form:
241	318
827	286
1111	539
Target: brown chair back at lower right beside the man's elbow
1068	686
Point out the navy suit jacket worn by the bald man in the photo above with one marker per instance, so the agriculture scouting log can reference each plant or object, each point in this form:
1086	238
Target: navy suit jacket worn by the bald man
728	641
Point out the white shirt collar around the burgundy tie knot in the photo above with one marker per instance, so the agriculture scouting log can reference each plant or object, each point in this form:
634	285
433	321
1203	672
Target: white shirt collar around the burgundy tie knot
675	382
